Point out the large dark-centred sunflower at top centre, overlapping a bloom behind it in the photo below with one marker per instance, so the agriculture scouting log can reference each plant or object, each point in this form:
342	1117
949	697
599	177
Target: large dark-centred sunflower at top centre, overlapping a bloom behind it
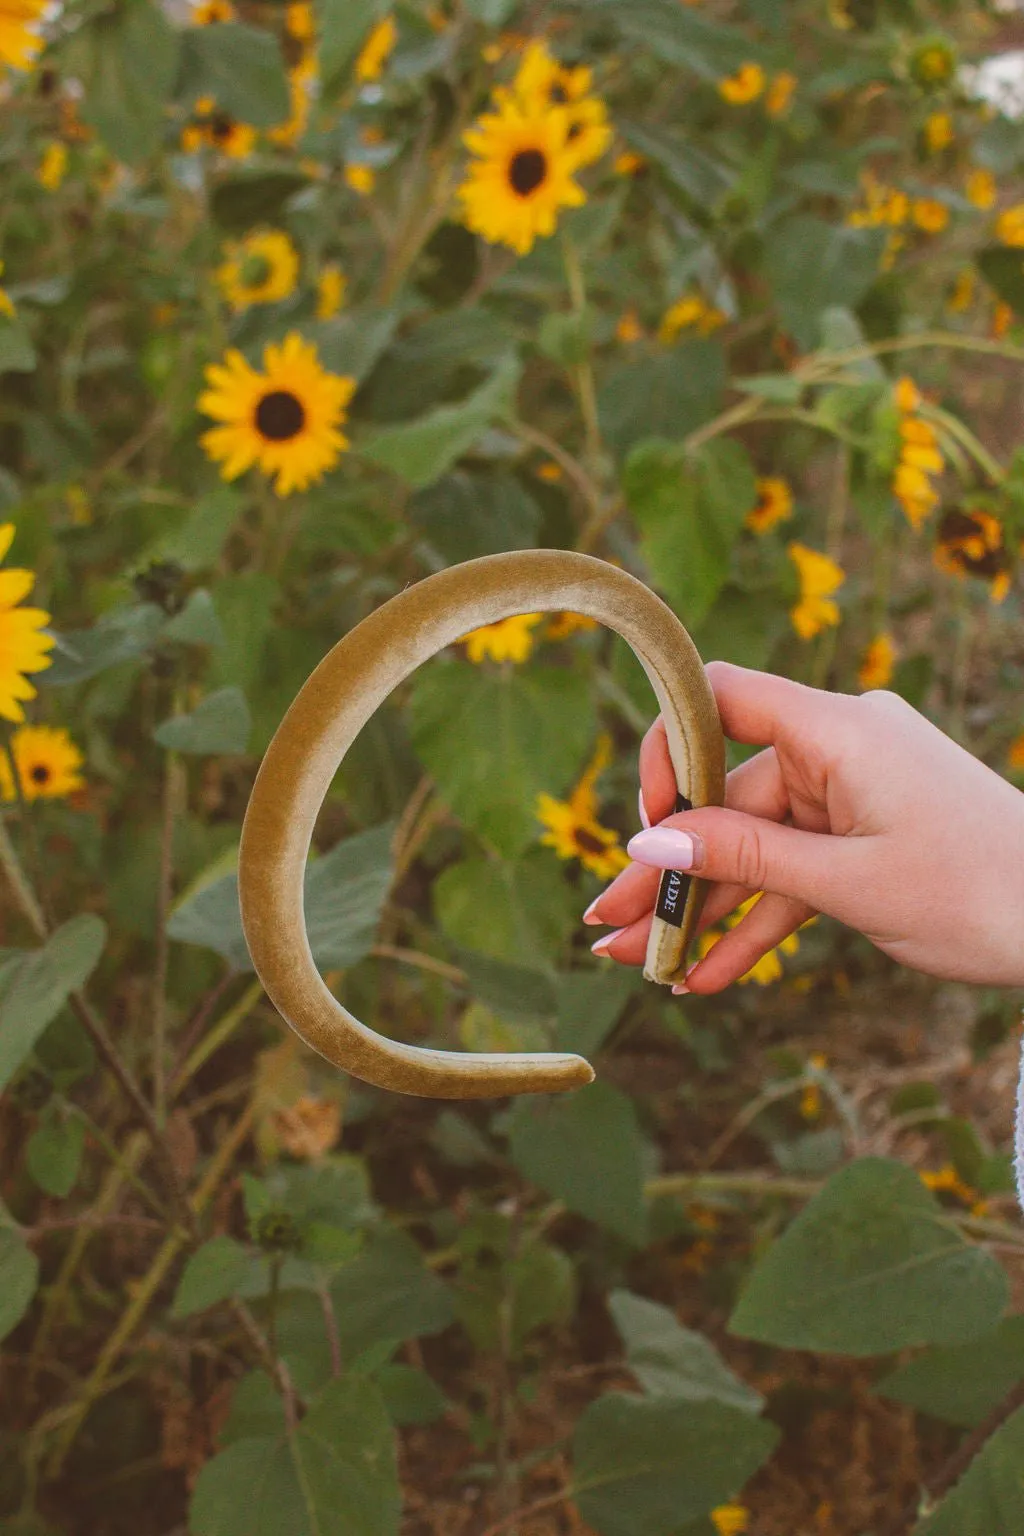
523	174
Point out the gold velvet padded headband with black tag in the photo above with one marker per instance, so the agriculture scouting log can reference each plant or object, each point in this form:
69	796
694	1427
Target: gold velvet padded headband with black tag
328	715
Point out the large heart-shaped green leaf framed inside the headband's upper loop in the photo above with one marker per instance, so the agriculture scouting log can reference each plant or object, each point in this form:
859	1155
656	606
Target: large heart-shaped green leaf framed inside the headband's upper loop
495	740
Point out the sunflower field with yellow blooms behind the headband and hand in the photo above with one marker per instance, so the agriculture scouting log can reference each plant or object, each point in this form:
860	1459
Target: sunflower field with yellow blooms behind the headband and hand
305	302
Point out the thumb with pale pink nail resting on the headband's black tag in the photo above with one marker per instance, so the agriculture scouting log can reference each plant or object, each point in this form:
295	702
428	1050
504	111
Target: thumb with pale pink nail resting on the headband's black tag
735	849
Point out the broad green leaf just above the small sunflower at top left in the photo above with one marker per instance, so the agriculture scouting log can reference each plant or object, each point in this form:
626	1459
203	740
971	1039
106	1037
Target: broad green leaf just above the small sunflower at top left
240	67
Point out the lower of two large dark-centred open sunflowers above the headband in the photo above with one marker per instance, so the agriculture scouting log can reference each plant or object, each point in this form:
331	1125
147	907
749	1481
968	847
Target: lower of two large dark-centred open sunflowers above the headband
285	420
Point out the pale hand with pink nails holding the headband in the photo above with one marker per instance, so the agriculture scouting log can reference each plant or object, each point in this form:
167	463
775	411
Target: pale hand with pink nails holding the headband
859	809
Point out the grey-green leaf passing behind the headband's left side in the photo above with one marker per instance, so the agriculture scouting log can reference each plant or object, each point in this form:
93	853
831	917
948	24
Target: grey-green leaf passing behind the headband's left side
345	895
